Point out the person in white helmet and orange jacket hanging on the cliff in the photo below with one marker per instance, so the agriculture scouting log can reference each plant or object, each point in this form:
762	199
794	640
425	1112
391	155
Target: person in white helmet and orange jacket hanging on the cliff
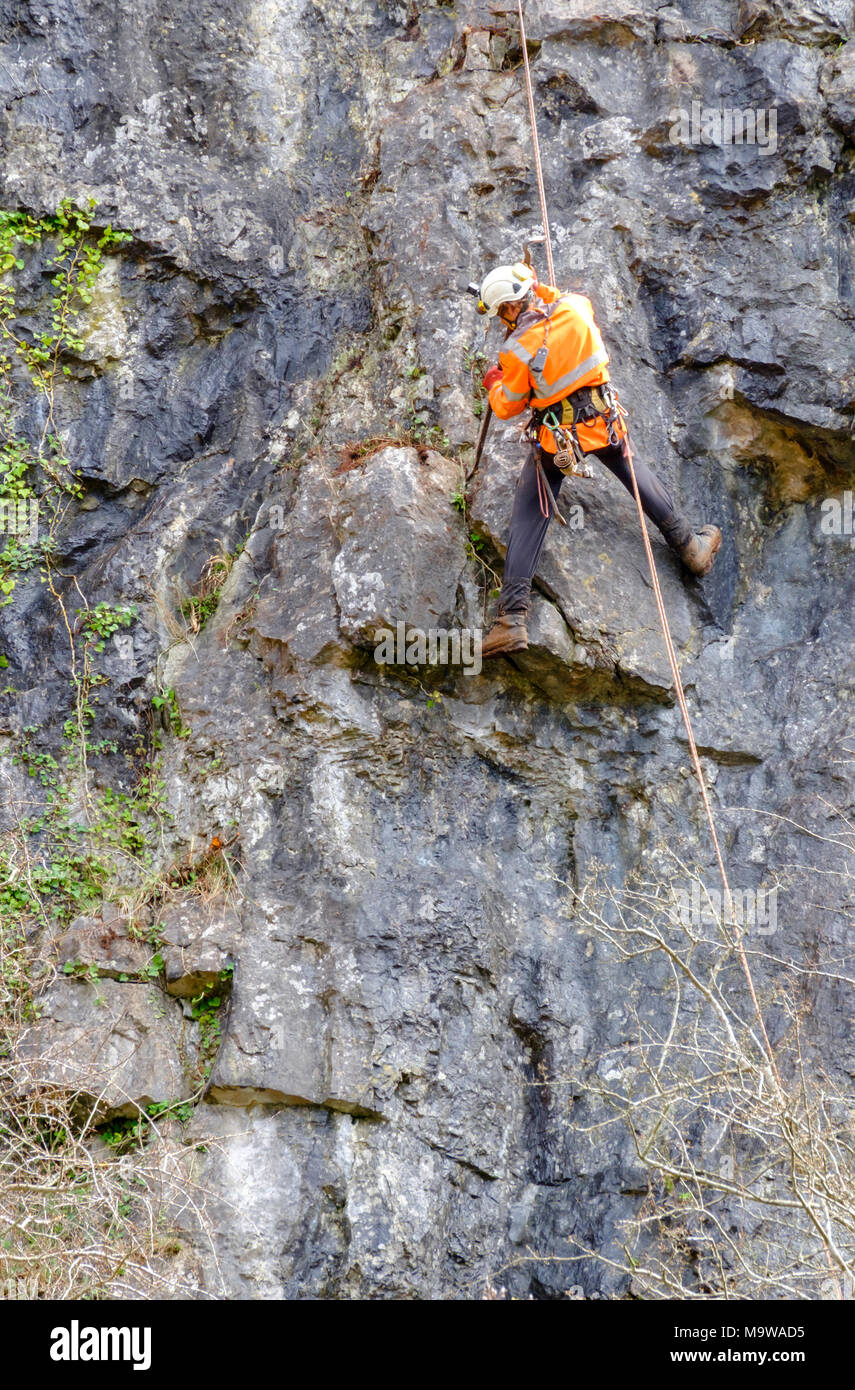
554	362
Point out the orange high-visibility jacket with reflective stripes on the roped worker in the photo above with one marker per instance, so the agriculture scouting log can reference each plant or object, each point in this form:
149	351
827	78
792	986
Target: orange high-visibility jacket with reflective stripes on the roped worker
576	358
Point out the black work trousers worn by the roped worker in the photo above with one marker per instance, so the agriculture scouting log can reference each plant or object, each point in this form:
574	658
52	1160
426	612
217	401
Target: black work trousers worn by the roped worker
529	525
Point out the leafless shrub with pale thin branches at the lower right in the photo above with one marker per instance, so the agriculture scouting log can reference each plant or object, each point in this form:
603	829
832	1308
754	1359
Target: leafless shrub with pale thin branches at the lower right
750	1161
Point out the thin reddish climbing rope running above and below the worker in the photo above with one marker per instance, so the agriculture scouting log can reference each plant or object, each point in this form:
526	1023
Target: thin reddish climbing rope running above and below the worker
667	632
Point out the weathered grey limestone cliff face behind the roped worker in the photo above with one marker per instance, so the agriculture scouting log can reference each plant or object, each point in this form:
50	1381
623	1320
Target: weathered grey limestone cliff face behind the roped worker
280	363
